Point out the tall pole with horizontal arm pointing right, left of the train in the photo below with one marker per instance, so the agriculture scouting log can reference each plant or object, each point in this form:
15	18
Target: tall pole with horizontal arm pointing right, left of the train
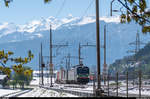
51	57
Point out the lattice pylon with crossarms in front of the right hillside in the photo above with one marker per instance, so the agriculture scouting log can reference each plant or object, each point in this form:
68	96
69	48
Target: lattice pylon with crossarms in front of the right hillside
137	44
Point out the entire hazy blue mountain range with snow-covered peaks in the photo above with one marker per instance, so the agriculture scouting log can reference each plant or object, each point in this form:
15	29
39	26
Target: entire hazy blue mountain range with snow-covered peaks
21	38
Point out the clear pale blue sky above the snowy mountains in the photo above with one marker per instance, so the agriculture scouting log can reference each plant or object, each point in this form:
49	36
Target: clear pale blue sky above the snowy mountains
22	11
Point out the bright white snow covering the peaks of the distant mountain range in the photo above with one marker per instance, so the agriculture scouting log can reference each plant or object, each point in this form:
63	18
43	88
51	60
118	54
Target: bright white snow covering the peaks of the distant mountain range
36	26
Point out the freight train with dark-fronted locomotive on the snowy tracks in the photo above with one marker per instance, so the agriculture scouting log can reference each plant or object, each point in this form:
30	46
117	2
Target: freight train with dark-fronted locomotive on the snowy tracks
79	74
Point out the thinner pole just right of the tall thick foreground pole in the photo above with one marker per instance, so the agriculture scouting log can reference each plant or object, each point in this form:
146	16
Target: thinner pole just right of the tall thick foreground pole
105	65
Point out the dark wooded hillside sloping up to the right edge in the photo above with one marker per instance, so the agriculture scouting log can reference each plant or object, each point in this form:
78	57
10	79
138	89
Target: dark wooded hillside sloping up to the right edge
129	63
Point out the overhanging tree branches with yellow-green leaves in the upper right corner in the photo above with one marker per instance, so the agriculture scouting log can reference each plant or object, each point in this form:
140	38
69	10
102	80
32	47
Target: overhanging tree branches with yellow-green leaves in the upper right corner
135	10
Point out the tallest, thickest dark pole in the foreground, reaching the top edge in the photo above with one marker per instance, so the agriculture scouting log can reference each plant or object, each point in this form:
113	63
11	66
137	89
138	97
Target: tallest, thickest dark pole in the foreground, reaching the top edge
98	90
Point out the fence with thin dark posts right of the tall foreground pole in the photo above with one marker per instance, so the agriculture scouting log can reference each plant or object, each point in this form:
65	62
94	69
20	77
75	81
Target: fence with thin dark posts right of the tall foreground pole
127	86
